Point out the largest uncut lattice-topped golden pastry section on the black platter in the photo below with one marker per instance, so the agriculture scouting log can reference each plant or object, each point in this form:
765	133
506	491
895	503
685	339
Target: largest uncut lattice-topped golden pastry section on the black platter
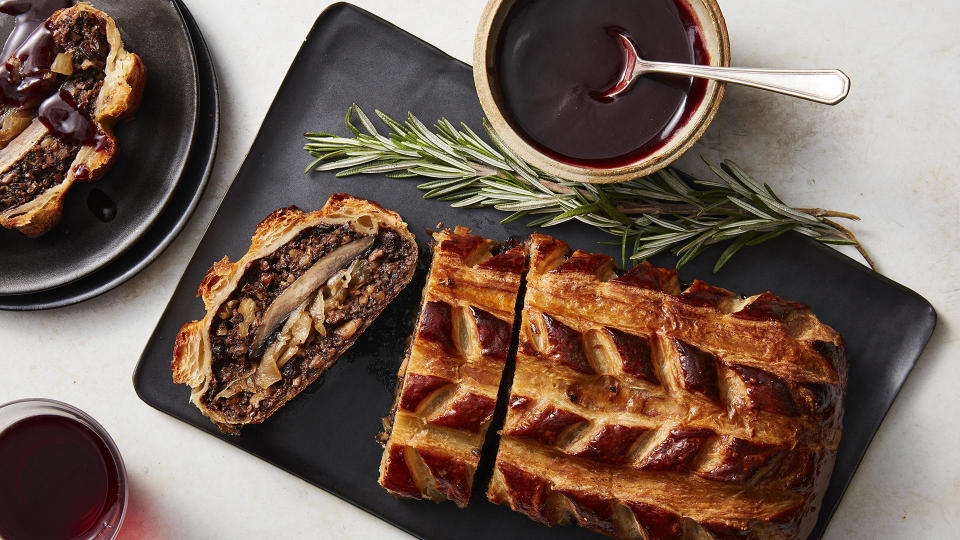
640	410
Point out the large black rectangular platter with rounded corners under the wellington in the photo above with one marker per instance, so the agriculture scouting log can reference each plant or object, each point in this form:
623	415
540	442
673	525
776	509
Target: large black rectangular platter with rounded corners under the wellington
350	56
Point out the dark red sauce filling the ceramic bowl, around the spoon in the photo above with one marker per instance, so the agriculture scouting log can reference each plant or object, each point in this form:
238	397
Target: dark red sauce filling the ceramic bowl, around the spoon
556	57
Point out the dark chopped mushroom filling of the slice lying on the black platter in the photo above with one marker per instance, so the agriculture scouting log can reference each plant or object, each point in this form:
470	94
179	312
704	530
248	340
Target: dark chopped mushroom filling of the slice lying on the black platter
318	328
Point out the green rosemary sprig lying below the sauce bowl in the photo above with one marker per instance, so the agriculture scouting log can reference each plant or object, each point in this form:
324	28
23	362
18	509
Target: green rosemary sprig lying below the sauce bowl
668	210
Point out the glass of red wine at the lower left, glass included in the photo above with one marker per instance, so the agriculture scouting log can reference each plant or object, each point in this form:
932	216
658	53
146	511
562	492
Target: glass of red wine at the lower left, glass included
61	475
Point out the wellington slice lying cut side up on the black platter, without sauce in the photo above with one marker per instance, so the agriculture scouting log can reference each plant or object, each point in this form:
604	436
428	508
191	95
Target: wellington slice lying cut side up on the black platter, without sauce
310	284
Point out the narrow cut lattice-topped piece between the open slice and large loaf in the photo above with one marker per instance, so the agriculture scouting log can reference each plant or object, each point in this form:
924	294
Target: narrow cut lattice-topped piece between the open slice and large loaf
448	383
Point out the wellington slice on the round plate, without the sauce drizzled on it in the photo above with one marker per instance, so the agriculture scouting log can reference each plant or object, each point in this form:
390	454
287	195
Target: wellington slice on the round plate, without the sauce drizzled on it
37	166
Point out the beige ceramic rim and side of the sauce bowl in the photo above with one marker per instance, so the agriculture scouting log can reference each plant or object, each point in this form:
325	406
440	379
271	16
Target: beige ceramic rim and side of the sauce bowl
491	23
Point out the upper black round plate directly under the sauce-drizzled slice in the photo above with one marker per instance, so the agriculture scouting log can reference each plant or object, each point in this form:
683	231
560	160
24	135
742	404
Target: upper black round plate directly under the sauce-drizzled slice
153	152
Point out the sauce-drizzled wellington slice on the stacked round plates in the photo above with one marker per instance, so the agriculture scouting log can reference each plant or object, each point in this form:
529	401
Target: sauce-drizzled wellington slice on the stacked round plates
64	89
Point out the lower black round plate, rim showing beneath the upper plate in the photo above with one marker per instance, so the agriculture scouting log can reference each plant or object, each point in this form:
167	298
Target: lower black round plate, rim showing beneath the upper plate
173	218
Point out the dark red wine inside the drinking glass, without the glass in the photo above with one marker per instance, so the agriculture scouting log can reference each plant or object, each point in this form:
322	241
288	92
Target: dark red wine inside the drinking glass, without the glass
57	479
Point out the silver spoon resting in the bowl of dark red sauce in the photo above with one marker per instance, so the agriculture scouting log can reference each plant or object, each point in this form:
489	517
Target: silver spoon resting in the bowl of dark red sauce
827	86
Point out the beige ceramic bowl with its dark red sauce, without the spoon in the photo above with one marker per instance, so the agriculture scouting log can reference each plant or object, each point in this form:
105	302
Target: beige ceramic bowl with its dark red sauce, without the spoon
541	68
